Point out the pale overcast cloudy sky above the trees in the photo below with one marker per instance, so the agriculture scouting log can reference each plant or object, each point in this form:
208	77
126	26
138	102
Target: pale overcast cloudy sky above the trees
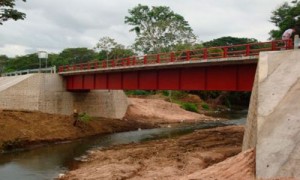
53	25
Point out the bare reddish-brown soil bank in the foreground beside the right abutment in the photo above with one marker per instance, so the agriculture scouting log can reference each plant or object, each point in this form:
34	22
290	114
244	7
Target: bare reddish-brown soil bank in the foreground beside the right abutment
186	157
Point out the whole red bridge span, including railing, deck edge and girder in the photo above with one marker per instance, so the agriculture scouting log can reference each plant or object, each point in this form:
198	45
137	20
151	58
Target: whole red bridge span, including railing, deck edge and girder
227	68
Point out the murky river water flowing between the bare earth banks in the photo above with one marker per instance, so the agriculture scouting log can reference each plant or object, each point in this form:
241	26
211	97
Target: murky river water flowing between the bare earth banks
49	161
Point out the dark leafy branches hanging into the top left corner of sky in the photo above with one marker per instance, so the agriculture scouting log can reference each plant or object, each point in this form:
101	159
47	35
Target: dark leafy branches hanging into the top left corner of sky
7	11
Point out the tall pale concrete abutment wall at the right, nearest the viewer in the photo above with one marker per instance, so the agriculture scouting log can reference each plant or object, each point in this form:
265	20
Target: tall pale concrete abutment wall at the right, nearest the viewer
276	110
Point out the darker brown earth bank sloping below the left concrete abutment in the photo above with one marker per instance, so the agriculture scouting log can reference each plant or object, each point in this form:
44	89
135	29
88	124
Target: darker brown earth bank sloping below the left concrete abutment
23	128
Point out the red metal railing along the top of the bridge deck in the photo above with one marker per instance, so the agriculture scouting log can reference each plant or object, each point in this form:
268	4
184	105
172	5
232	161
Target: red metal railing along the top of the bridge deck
241	50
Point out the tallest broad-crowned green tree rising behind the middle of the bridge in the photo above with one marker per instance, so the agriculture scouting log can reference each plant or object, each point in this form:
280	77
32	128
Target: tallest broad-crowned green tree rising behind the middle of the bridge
158	28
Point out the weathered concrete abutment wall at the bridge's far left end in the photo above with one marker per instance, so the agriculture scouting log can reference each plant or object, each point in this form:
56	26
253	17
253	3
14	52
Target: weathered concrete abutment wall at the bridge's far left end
46	93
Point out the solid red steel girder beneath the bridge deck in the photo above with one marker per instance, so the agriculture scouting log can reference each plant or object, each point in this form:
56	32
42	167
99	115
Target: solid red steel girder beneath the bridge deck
238	77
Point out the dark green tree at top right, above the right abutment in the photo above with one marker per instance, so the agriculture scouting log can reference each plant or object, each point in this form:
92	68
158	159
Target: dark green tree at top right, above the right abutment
285	17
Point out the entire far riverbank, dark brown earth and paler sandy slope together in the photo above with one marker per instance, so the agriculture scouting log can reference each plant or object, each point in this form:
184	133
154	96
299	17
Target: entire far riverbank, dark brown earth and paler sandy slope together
21	129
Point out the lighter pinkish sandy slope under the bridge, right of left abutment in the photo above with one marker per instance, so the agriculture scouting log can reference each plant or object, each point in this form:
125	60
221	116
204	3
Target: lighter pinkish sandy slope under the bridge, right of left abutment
158	111
